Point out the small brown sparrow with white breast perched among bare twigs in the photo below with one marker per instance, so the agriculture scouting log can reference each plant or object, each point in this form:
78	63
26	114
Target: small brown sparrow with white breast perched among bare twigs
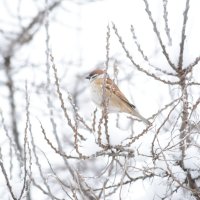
102	87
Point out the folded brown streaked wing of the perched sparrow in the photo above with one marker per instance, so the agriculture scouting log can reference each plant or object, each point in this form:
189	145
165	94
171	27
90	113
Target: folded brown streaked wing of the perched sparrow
113	88
